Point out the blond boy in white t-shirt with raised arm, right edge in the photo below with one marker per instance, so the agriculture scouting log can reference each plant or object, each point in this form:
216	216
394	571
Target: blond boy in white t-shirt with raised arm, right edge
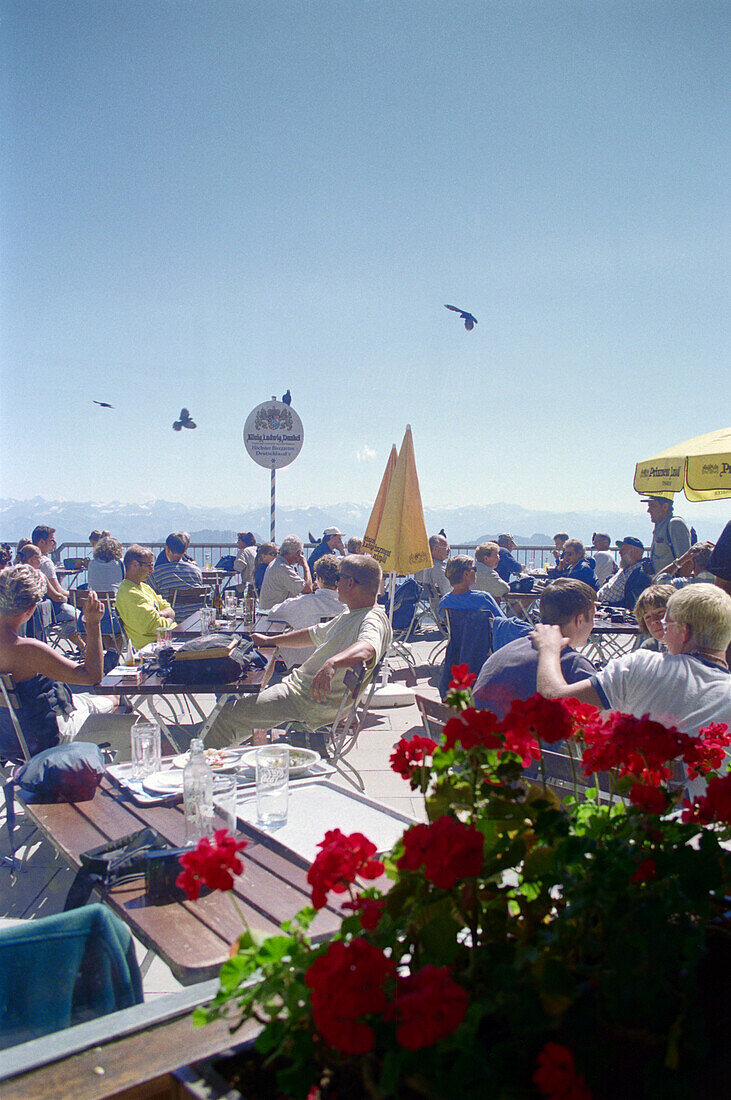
689	687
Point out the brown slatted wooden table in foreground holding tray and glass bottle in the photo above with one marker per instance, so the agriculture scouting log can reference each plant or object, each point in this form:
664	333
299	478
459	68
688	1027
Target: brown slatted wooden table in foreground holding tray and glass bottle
192	938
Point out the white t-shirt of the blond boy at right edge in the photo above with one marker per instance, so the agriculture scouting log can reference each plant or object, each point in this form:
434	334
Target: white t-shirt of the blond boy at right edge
682	691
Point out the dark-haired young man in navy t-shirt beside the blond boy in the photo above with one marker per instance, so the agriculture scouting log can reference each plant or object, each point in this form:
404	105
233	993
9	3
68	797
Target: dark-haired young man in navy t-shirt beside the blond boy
512	673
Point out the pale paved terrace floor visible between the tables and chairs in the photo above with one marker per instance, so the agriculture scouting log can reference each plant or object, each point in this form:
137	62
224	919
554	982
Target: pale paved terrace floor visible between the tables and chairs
41	889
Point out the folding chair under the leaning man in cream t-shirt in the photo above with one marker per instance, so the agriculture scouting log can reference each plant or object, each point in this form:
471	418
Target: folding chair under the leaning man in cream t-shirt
339	739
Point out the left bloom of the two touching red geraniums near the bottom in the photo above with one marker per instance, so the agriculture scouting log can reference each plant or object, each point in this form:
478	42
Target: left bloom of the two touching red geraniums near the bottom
349	983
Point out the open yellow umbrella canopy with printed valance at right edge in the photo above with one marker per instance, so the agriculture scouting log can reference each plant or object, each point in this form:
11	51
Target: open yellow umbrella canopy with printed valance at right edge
701	468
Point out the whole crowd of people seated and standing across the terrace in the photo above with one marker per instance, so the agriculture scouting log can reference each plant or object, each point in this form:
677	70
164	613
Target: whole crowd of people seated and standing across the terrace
326	614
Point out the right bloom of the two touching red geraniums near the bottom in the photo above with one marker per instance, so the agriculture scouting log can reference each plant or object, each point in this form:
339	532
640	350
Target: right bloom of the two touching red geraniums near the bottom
429	1005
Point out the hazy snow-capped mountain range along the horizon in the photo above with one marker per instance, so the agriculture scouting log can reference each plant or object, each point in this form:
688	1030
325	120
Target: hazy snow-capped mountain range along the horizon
154	520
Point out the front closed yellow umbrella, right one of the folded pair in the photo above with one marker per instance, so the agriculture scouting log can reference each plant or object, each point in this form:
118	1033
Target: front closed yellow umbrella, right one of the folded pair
402	545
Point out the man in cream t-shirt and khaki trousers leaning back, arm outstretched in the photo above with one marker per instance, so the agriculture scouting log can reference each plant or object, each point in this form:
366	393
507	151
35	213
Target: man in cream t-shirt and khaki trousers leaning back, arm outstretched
314	692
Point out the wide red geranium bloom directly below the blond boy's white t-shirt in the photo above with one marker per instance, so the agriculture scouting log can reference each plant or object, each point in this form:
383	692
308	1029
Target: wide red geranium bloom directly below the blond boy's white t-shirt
637	746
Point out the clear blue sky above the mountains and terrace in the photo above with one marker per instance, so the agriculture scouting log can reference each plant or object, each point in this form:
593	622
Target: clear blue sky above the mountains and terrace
209	203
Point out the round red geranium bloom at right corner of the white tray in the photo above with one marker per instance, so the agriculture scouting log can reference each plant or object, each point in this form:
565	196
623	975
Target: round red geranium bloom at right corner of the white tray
447	850
